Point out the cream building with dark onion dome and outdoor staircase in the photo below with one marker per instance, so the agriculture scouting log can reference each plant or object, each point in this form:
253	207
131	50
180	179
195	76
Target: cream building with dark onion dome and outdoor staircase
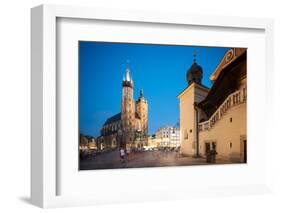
215	118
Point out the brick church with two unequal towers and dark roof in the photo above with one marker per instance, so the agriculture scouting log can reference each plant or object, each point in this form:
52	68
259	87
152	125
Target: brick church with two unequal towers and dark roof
130	126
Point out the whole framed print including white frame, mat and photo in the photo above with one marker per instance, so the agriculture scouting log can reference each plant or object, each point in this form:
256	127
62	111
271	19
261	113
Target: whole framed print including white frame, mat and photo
137	102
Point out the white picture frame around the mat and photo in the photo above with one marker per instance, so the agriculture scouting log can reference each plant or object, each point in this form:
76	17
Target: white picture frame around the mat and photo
44	169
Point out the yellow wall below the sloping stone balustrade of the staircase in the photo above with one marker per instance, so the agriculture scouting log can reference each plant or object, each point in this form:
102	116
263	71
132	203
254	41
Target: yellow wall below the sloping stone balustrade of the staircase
225	132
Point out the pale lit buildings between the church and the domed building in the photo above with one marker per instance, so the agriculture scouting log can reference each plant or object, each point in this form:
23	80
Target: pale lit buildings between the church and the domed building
168	137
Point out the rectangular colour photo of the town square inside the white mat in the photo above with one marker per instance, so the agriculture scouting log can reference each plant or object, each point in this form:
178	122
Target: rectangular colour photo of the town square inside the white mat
158	105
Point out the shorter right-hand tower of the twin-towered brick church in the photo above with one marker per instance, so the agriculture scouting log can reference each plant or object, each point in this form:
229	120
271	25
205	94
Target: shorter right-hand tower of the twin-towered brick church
142	111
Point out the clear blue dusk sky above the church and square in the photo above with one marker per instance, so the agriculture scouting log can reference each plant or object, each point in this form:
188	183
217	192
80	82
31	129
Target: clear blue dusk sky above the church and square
160	70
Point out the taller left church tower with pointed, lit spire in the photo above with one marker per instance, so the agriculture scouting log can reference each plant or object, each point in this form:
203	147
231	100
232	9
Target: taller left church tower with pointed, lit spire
128	109
